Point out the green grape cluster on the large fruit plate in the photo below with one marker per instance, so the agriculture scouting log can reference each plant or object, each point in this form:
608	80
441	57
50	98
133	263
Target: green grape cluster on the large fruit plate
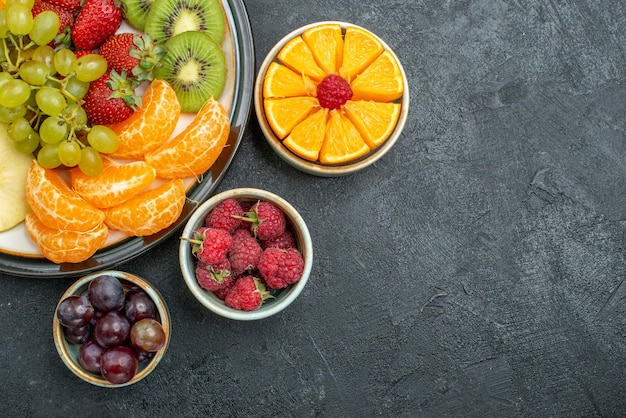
41	92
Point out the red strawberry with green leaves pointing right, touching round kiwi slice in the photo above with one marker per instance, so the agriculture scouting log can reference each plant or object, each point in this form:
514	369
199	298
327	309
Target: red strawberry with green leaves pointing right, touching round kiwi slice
134	53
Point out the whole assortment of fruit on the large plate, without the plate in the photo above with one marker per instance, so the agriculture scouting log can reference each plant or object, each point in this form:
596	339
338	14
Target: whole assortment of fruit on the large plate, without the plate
85	153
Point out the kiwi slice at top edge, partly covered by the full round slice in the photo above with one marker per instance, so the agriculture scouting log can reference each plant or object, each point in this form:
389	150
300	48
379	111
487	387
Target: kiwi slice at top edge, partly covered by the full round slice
168	18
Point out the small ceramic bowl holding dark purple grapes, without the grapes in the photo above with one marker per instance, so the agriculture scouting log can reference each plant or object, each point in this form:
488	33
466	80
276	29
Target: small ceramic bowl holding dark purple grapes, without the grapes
69	351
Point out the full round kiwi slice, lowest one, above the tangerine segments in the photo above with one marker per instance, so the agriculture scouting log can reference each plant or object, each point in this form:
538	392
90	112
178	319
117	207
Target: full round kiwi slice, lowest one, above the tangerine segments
195	67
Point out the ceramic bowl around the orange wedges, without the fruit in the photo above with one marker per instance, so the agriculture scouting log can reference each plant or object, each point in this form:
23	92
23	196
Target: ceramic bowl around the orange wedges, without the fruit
317	168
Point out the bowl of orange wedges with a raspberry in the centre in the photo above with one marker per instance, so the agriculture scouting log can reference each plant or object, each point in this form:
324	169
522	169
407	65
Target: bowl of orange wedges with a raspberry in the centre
331	98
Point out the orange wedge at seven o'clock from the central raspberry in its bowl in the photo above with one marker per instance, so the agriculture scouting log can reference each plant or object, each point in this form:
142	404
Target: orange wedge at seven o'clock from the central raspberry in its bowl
305	140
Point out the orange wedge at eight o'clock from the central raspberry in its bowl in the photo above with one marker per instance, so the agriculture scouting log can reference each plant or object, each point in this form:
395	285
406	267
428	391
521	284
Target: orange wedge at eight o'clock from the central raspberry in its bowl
284	114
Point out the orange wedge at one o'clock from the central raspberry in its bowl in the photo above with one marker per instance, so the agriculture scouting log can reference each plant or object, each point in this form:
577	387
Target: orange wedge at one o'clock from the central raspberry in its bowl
360	49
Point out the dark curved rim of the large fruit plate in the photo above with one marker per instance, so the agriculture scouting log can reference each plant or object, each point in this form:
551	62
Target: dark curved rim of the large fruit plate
129	248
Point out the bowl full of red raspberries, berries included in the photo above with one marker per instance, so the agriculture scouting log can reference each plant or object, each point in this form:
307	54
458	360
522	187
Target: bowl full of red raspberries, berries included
246	254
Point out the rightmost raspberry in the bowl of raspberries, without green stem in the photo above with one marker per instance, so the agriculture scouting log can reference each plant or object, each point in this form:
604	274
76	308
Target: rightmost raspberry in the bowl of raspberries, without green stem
280	268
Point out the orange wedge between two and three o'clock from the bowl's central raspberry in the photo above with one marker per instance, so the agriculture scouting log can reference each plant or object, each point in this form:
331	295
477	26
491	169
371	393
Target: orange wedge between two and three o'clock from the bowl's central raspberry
381	81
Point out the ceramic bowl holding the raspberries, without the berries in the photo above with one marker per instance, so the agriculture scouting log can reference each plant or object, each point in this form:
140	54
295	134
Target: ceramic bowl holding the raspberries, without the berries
283	297
